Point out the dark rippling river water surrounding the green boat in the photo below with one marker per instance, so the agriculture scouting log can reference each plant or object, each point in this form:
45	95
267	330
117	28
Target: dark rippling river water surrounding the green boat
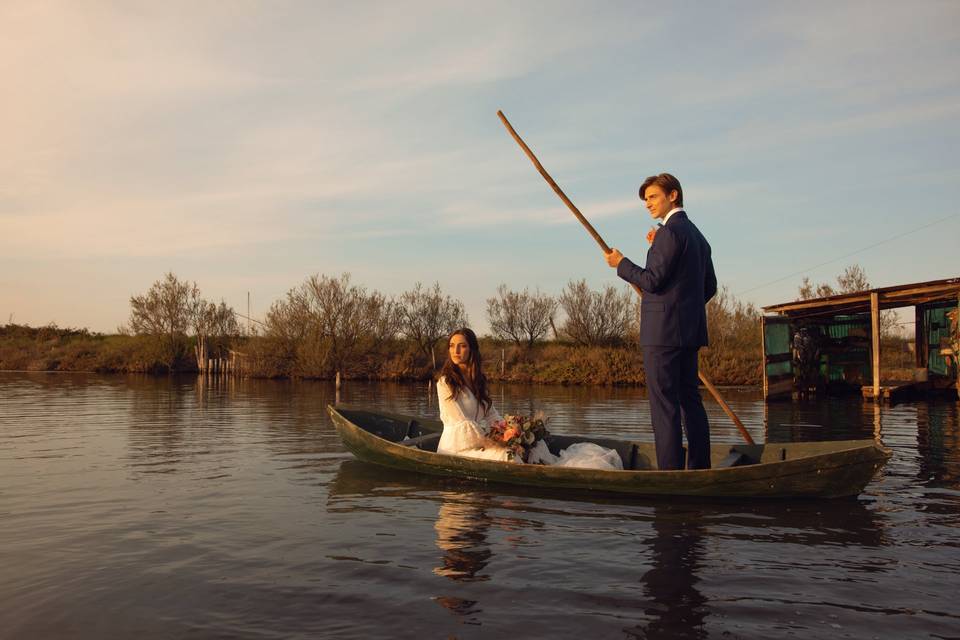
175	508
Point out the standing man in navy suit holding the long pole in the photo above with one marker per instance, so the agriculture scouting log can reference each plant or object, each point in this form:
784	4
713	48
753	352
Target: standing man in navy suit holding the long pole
677	282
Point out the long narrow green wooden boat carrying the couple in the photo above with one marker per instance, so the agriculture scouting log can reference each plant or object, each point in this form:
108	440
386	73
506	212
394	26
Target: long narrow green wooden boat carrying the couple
773	470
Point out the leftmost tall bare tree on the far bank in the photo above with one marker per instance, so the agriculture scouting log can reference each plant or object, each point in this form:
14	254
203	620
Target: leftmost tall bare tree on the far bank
166	312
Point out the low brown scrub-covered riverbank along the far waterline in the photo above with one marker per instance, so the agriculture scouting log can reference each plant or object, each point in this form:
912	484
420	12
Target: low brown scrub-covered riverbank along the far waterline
553	362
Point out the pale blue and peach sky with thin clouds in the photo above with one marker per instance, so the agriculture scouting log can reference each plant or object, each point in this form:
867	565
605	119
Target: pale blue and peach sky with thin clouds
248	145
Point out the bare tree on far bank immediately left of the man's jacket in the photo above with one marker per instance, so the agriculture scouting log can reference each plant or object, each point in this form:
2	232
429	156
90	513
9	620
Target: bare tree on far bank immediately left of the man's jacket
596	317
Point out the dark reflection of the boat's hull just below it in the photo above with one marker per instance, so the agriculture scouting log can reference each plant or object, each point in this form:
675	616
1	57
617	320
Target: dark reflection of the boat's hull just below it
465	507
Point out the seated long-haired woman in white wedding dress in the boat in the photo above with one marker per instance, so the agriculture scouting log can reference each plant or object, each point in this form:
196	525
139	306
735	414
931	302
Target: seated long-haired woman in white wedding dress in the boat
467	412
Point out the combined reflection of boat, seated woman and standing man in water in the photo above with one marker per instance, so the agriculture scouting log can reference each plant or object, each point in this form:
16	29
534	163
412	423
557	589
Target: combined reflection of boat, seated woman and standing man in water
675	544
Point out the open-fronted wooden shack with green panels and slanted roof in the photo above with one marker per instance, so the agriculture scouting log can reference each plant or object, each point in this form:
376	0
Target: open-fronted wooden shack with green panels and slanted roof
832	344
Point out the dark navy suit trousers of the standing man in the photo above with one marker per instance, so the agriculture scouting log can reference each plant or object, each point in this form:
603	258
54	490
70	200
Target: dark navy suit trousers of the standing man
673	389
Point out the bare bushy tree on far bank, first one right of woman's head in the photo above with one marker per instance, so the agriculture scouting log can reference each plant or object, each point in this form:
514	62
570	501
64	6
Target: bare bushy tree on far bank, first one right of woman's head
523	317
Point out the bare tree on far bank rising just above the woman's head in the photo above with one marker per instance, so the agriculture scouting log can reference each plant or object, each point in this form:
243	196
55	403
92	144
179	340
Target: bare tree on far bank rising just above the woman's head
427	315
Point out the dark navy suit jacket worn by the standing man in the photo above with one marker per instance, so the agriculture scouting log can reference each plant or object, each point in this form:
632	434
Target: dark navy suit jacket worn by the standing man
677	282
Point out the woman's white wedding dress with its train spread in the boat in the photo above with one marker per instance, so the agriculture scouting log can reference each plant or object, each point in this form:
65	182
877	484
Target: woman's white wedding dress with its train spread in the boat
464	434
